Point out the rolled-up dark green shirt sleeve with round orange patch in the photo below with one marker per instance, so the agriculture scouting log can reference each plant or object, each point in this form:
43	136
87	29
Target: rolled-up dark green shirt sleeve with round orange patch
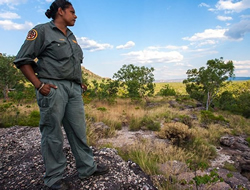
31	48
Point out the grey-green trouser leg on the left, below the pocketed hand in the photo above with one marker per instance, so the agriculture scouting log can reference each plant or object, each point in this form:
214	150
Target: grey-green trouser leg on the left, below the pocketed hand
51	113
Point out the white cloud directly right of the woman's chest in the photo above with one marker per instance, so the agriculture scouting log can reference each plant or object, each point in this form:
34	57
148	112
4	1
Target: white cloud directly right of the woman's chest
92	45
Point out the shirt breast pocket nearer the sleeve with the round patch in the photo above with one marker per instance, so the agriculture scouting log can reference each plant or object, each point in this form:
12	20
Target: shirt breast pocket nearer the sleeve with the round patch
60	50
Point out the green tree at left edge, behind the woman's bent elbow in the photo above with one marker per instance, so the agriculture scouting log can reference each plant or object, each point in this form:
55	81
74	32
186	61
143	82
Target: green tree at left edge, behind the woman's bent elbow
10	75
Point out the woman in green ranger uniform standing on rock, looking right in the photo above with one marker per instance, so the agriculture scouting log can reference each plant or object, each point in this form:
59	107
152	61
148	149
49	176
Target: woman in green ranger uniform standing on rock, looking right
58	79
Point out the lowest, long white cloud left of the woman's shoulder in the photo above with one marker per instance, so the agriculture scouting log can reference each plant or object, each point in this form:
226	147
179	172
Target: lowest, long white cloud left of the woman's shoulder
9	25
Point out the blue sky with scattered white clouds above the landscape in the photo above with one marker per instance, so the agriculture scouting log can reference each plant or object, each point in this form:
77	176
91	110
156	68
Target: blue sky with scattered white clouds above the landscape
170	35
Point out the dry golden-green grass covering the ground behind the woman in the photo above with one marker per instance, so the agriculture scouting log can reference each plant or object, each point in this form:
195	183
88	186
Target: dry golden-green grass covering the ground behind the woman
190	141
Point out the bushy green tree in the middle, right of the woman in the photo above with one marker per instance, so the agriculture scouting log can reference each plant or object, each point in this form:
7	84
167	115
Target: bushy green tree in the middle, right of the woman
137	80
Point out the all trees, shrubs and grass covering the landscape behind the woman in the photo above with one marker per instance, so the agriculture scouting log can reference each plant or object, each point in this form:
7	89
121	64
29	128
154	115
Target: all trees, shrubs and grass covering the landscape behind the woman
174	114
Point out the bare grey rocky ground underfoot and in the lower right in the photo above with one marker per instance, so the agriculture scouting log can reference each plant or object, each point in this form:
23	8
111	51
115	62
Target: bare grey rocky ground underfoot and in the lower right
21	165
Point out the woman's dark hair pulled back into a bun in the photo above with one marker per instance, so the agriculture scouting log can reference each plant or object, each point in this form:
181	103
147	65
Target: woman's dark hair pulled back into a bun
51	12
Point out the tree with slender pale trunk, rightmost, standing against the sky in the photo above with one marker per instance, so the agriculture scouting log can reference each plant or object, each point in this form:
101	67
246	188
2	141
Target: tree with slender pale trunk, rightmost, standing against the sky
205	83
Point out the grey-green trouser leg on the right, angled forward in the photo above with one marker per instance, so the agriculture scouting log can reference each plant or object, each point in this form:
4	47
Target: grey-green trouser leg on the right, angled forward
75	128
